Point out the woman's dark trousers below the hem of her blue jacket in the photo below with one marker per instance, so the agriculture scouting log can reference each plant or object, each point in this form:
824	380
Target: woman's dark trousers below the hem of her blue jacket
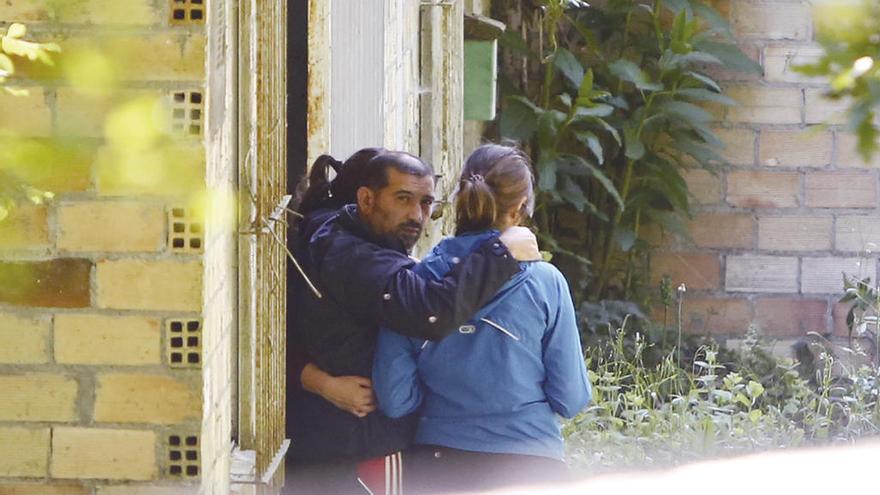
432	469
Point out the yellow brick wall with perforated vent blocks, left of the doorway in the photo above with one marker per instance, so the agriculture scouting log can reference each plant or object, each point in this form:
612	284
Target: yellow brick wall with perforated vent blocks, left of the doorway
101	290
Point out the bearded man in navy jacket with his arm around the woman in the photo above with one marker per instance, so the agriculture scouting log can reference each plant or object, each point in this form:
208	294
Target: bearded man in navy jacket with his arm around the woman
358	260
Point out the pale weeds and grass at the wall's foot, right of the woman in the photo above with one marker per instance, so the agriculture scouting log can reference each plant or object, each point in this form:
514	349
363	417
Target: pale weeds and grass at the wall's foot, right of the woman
667	414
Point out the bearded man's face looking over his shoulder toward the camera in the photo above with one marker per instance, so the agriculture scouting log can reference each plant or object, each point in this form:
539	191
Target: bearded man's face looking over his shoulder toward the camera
401	209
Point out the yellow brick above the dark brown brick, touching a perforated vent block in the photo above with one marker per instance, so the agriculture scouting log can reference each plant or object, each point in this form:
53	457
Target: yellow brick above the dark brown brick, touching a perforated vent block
111	226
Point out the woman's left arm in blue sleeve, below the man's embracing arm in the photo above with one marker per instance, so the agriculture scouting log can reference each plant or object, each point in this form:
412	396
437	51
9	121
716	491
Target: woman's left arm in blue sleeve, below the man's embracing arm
395	375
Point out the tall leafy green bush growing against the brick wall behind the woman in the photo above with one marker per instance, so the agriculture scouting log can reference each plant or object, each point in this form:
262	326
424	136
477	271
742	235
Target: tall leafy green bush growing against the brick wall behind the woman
610	101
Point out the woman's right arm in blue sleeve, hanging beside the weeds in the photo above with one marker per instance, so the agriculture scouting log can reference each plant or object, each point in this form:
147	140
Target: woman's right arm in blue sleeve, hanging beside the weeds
567	385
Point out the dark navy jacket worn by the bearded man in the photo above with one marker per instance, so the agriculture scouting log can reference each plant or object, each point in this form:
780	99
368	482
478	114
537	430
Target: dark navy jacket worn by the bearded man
366	283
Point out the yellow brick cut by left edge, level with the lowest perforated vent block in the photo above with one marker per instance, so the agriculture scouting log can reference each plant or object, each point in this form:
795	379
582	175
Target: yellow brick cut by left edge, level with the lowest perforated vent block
24	452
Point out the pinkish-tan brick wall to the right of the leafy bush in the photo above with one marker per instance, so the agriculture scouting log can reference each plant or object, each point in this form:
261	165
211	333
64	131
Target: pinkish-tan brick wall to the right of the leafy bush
796	207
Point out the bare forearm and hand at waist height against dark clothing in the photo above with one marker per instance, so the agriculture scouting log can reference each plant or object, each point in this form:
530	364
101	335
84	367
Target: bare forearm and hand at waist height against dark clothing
353	394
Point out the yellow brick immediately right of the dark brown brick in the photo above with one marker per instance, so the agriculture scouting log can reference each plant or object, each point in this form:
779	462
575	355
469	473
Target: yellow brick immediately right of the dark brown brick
160	285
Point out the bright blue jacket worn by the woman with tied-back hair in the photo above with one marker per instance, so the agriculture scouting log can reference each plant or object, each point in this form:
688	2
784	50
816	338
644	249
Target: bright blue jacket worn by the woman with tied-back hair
495	383
